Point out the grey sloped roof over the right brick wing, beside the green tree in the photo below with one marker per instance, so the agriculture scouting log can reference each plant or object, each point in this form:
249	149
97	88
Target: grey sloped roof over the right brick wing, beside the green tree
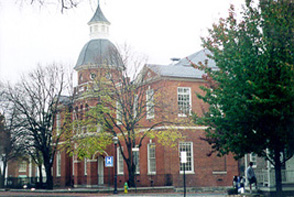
183	68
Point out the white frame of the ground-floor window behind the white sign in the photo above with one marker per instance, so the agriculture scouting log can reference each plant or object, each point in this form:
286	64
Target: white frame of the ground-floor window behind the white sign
190	157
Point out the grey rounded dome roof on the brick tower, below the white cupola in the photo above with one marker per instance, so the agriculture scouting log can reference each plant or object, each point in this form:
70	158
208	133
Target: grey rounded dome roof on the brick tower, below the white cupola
97	52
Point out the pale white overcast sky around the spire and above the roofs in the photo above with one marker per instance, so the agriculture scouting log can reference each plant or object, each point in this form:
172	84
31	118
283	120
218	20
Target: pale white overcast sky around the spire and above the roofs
159	29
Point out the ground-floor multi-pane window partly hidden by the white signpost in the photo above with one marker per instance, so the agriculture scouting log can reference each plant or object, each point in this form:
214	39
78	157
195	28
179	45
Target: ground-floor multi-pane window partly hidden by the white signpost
188	148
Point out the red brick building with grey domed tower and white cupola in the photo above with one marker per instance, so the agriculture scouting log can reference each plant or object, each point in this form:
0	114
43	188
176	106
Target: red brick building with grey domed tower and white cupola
157	165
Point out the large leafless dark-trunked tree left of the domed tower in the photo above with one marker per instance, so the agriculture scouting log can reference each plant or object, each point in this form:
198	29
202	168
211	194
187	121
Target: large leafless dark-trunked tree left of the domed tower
35	98
